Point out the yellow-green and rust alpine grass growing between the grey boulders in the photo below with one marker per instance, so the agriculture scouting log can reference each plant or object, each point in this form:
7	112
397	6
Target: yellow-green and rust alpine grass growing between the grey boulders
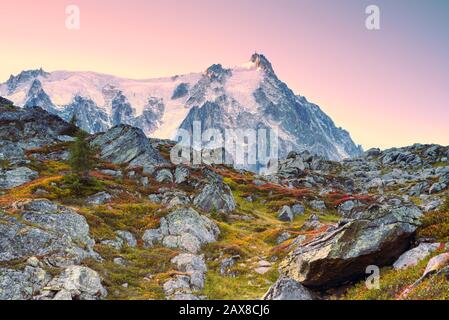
253	238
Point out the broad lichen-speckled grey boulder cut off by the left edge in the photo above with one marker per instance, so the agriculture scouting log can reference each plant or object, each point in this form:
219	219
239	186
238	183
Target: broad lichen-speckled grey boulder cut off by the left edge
45	229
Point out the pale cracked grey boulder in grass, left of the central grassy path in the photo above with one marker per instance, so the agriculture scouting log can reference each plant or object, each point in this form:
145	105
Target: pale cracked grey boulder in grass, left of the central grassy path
183	228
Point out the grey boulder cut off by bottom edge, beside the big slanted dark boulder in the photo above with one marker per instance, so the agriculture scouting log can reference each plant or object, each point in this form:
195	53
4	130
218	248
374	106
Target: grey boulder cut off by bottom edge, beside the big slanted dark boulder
288	289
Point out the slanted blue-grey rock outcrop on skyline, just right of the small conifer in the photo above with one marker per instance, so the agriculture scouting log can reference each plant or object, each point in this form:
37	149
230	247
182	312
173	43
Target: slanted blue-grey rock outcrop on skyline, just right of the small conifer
124	144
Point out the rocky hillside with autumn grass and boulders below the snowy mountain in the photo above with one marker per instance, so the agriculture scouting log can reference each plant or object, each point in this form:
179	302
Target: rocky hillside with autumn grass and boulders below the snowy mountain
144	228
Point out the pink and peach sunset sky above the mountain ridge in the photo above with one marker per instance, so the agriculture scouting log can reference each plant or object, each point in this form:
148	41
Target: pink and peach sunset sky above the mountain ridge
387	88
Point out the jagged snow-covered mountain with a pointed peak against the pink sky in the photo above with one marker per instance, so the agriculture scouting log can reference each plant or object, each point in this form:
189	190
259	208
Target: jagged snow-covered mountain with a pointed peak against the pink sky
246	96
